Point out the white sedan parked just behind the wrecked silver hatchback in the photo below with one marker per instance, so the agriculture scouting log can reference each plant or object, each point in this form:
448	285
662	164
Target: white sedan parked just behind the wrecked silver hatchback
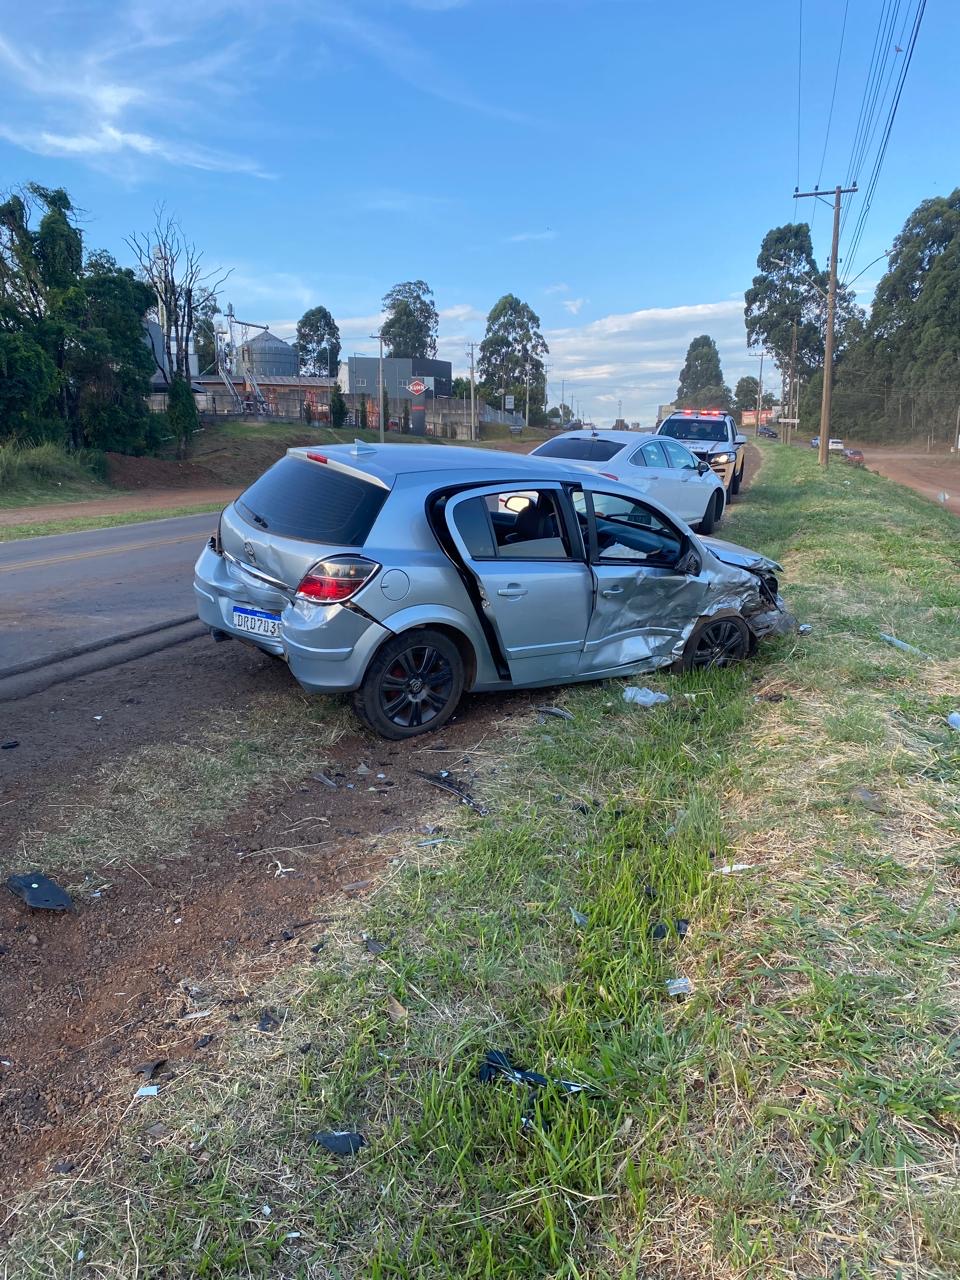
656	465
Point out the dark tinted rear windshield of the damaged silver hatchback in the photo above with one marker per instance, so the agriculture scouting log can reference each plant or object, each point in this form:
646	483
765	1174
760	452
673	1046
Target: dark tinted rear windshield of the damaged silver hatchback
310	501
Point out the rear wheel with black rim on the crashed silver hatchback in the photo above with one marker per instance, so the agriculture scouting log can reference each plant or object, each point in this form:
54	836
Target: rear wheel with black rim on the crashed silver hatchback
413	685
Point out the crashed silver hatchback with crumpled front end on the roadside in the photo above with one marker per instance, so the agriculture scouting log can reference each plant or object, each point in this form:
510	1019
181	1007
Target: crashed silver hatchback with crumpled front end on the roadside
409	574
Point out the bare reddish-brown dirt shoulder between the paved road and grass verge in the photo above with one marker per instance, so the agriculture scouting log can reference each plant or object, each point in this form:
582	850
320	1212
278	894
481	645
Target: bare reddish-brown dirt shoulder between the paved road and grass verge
88	996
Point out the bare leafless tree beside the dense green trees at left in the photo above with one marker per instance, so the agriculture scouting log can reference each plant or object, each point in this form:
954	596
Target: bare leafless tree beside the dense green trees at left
175	269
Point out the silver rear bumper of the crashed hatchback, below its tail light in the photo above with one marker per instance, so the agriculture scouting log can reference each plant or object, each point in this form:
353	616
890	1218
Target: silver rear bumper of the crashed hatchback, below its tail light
327	648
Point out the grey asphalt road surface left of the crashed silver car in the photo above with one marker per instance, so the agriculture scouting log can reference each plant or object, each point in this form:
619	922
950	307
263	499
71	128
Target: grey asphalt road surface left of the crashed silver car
75	592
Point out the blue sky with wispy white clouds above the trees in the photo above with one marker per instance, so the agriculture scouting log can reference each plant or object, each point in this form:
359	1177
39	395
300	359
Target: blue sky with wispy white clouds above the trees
615	163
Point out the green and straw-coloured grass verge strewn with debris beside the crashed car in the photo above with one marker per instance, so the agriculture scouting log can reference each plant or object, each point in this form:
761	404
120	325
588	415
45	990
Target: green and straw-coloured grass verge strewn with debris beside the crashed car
796	1117
